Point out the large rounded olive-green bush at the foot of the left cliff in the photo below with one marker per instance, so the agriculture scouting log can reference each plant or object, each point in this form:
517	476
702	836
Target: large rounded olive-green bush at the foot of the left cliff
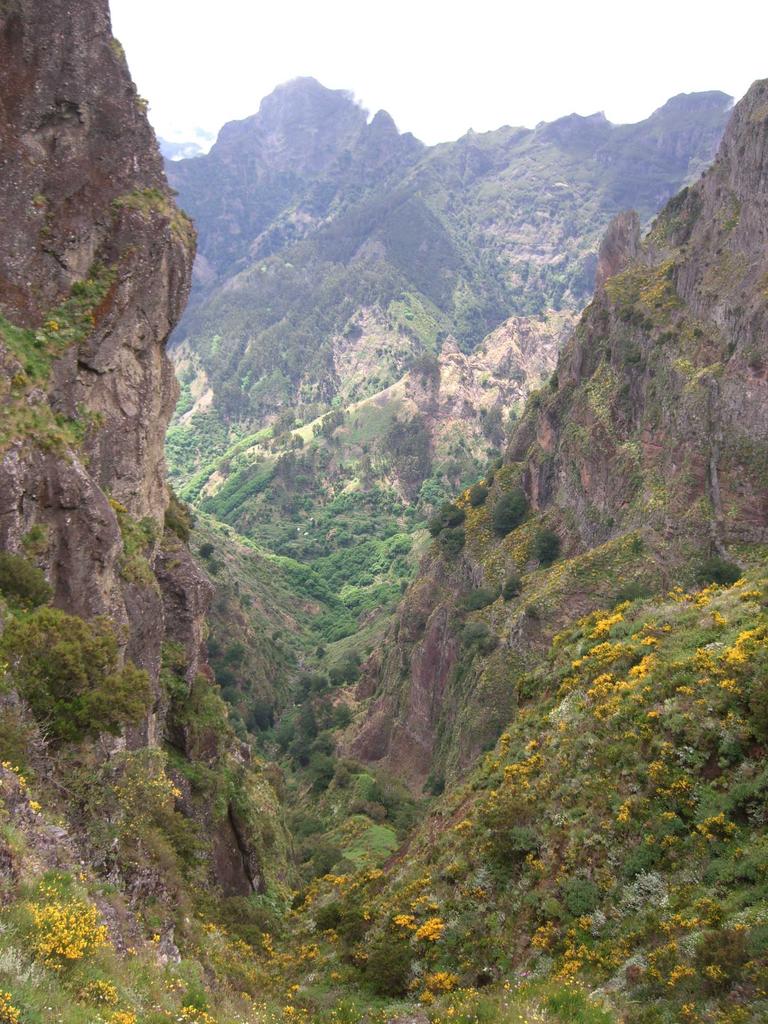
68	671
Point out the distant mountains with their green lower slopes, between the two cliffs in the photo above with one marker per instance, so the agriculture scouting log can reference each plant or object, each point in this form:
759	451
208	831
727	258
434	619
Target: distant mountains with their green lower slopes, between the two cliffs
369	317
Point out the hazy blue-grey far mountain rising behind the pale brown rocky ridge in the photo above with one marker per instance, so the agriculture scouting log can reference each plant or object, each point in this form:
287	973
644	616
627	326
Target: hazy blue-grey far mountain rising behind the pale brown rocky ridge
320	230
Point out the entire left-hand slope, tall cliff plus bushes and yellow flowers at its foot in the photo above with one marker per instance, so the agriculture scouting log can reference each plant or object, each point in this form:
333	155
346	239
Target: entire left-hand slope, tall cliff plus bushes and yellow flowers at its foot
149	816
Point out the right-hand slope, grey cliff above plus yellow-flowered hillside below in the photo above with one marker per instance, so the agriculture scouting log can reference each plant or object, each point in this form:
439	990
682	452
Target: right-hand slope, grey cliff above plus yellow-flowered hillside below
613	840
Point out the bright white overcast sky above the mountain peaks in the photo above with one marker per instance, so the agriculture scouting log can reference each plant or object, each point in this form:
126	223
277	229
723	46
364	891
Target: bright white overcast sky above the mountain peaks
439	68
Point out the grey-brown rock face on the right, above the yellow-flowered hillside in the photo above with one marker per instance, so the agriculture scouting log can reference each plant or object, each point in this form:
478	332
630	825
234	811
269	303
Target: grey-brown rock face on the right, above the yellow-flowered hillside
649	451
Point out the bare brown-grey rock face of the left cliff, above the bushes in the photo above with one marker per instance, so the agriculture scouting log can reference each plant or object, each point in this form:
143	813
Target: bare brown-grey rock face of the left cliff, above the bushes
89	218
